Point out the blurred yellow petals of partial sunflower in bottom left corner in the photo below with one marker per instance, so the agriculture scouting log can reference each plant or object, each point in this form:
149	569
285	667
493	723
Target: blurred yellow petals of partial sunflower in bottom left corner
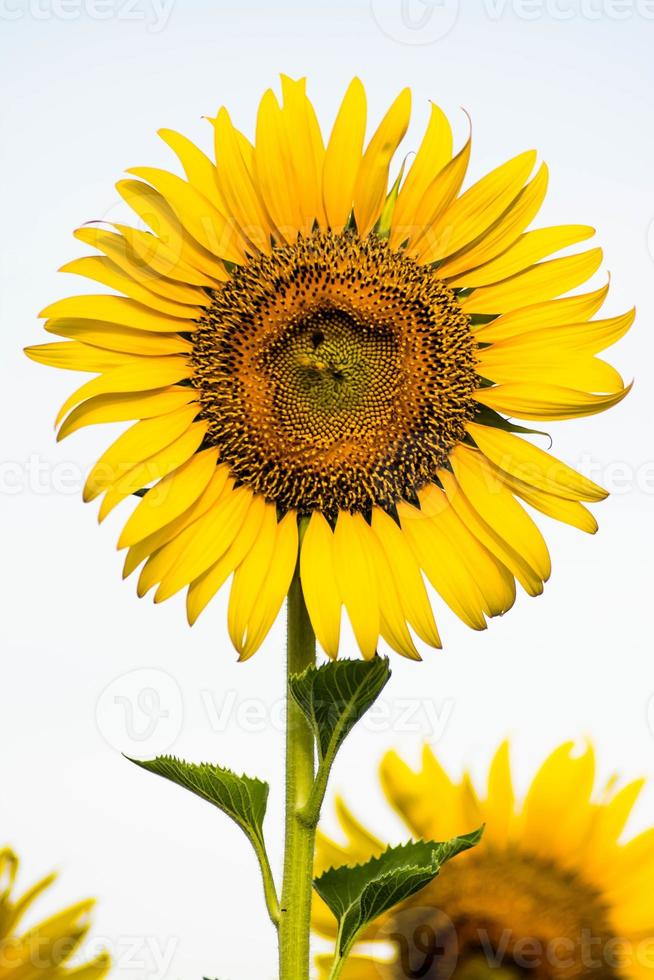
45	949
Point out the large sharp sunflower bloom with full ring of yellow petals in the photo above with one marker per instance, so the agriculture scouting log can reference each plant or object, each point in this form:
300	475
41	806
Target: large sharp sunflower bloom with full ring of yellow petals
320	361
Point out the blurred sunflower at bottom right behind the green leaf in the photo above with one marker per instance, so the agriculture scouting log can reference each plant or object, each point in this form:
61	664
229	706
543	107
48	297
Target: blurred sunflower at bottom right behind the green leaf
553	891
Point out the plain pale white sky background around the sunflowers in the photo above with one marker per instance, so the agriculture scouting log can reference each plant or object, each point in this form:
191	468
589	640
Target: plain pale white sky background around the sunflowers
85	85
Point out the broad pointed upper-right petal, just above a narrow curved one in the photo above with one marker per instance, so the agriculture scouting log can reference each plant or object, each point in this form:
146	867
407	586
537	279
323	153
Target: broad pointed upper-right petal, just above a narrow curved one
477	209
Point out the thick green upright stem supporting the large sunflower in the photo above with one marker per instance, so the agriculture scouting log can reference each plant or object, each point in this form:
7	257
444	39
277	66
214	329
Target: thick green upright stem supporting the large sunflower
295	913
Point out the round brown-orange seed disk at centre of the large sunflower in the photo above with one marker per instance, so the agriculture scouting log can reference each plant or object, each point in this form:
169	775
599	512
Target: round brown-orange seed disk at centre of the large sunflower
335	374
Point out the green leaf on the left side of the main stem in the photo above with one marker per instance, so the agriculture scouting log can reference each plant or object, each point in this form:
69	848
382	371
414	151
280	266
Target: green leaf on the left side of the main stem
242	798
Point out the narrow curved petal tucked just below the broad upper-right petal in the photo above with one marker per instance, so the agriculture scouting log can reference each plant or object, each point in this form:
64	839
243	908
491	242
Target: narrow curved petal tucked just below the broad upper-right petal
504	232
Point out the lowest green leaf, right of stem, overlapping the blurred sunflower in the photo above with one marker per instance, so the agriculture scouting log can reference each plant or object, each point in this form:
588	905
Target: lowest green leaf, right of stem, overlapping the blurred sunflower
359	894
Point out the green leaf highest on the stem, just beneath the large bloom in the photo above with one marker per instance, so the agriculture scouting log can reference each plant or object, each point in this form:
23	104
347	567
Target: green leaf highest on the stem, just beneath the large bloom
335	696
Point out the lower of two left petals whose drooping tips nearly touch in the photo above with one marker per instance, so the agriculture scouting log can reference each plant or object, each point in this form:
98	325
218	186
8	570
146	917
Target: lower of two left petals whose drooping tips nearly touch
124	407
